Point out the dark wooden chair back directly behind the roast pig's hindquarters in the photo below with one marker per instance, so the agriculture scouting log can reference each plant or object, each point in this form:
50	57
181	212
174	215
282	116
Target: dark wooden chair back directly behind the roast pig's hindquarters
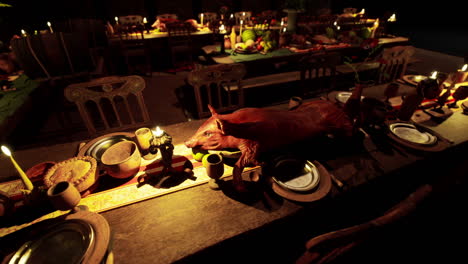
318	72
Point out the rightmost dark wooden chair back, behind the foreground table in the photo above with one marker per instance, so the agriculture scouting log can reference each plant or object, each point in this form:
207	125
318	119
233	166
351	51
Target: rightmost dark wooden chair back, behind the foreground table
393	63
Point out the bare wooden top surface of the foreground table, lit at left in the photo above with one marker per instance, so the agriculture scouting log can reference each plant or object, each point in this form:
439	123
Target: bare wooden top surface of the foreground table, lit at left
177	225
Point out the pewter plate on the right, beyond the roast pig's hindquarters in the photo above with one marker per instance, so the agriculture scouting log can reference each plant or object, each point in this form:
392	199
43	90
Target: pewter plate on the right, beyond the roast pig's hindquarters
411	134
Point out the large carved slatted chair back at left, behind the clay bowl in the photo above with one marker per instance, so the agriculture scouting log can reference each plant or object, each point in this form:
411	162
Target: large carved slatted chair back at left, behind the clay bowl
110	104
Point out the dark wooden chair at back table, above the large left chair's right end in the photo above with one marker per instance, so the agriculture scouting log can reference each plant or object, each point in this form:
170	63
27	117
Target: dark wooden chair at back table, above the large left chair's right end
134	48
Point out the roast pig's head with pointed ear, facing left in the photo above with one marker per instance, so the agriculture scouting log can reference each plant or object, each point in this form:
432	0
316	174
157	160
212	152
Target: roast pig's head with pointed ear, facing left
210	135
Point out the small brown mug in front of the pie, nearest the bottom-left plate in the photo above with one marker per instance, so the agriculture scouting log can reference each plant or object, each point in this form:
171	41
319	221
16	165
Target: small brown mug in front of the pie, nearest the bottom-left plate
64	196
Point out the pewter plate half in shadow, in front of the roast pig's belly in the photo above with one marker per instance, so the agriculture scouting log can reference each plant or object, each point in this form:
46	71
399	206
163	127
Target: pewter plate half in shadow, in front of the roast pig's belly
295	175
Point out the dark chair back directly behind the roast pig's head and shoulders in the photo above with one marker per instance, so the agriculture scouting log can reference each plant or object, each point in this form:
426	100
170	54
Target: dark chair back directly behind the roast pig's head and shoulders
219	86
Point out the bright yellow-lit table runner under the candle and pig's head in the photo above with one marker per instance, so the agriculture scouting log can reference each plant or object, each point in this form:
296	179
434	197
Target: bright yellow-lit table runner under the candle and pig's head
126	193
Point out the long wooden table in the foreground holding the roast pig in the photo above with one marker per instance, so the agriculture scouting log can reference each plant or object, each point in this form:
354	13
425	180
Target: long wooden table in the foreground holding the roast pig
200	224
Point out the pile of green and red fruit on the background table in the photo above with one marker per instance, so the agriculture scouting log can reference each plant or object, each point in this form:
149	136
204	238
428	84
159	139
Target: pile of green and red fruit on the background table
256	40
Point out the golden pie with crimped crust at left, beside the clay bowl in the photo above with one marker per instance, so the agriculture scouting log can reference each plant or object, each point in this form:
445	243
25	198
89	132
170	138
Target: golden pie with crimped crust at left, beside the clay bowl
80	171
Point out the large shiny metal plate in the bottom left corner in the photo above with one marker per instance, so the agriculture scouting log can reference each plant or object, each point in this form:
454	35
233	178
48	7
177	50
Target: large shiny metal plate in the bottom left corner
66	242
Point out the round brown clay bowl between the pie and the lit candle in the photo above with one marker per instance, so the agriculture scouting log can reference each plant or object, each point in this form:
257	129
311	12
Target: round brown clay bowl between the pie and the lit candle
122	160
